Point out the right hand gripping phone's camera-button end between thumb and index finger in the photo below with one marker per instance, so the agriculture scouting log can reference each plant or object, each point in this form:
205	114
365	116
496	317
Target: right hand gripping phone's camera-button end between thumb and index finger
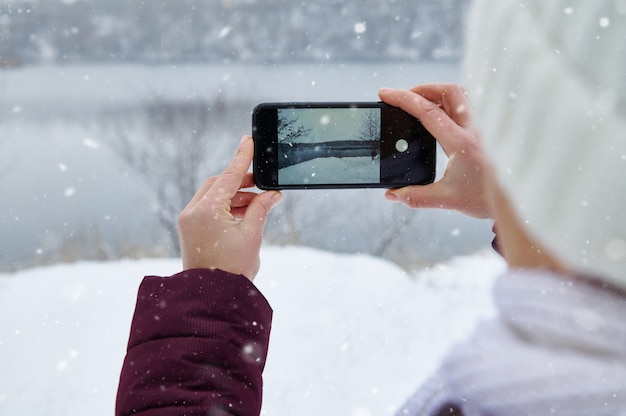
444	110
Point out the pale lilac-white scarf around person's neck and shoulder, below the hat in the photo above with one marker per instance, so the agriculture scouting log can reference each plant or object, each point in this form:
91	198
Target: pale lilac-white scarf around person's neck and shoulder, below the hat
558	348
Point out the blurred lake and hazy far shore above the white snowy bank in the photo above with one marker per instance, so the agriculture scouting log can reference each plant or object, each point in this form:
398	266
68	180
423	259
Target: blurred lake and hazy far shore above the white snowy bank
112	112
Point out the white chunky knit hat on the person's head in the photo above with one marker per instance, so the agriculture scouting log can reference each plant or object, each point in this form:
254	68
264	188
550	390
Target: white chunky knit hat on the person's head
548	82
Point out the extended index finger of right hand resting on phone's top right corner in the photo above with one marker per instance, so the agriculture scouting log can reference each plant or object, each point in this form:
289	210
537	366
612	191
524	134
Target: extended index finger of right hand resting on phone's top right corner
433	117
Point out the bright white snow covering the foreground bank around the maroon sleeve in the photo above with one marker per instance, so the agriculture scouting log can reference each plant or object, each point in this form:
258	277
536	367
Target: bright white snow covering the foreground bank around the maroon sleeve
352	335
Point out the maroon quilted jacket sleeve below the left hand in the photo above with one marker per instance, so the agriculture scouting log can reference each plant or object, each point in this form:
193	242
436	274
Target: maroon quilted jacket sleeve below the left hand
198	343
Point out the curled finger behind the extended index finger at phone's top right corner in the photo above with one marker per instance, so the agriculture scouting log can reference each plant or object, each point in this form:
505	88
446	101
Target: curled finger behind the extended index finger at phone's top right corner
452	98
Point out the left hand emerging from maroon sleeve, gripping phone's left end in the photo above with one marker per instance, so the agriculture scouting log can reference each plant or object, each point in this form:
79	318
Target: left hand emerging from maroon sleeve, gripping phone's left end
222	226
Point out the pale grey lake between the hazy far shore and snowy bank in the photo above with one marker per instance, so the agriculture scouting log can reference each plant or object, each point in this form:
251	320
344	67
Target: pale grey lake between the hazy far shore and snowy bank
67	189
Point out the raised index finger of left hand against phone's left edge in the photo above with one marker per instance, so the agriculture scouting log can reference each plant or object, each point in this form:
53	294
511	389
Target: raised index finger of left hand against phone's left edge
228	183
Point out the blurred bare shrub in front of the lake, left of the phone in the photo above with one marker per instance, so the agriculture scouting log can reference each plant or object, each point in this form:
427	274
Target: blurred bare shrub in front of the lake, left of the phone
170	147
